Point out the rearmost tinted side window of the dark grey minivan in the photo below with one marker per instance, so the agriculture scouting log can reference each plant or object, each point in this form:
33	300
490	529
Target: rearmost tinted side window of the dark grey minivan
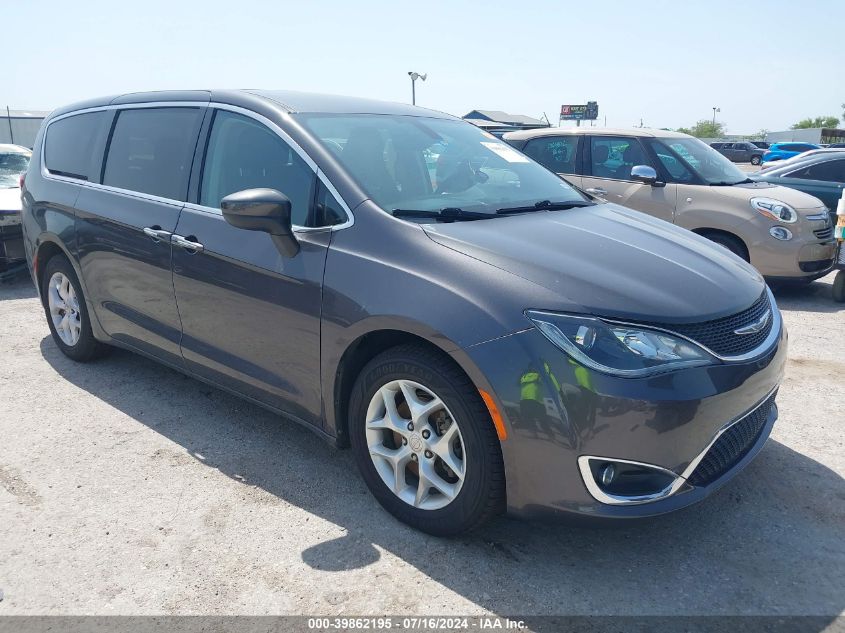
69	146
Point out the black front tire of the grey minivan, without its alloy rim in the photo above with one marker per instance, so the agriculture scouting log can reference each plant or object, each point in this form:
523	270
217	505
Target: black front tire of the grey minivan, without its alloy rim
464	511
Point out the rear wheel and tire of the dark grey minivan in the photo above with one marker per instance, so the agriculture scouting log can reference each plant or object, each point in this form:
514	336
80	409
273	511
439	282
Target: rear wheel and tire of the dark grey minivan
65	303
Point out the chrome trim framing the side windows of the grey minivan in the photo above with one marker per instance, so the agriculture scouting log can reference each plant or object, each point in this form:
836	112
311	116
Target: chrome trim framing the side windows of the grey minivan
45	173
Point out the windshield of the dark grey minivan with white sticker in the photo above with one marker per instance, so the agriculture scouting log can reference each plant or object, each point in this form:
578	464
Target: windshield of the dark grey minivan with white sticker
428	164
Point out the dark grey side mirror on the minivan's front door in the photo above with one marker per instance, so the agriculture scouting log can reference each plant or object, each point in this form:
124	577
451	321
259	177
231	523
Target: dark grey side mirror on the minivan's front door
265	210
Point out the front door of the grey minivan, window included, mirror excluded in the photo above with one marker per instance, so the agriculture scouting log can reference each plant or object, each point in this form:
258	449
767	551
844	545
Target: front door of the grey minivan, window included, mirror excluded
251	316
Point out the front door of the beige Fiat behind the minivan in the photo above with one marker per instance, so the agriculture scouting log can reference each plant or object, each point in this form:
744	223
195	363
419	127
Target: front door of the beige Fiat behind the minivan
607	173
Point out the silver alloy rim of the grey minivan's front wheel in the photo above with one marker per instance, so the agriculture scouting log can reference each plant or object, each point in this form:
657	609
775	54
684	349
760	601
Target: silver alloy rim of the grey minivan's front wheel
415	444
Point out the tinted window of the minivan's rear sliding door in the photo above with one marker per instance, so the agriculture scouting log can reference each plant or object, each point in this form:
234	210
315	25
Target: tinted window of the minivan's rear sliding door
151	150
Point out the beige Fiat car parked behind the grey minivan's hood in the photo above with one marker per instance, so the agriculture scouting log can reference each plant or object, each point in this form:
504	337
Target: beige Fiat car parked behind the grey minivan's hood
785	234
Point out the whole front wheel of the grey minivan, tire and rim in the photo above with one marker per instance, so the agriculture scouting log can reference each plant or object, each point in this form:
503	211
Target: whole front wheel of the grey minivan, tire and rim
474	487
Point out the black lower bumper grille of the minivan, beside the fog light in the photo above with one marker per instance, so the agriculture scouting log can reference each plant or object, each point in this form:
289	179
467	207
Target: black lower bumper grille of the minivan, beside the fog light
732	445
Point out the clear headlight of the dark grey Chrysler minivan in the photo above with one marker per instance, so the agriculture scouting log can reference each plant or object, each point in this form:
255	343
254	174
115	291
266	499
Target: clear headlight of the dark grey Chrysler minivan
621	350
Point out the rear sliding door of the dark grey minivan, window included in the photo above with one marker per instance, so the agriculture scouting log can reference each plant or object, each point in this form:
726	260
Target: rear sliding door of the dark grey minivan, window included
124	222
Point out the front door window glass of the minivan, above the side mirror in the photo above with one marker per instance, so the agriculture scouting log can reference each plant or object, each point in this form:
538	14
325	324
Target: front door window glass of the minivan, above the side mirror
244	154
